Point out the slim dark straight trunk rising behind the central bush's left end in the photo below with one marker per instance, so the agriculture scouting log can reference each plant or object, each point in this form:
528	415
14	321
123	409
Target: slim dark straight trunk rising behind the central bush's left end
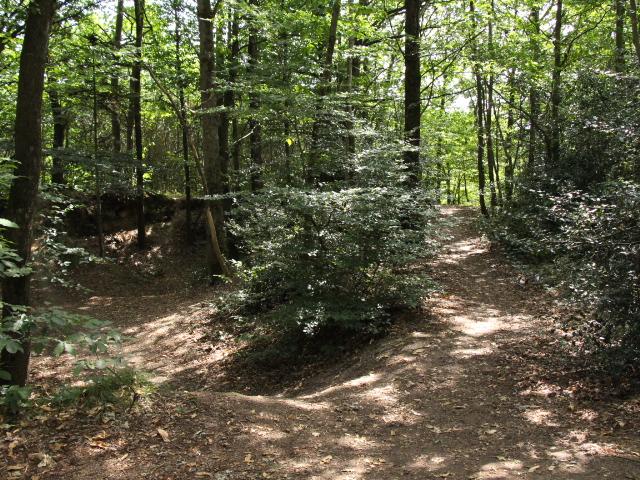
255	129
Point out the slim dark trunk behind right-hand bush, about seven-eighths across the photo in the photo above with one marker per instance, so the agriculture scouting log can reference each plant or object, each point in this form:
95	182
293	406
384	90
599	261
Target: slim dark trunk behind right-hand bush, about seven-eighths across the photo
553	154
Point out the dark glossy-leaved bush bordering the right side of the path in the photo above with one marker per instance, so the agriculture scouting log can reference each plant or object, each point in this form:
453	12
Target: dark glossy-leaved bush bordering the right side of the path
593	242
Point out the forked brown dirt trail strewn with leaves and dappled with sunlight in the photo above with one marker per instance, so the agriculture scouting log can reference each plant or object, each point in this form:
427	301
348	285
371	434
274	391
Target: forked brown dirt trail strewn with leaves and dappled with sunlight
470	391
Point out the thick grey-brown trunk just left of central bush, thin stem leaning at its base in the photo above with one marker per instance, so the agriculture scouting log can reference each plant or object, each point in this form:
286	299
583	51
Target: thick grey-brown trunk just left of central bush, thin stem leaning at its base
210	122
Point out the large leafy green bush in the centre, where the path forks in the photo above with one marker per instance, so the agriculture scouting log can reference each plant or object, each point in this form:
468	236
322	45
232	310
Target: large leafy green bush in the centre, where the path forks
319	260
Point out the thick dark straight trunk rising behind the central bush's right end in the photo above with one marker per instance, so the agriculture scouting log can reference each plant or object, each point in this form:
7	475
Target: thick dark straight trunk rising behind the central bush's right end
412	81
